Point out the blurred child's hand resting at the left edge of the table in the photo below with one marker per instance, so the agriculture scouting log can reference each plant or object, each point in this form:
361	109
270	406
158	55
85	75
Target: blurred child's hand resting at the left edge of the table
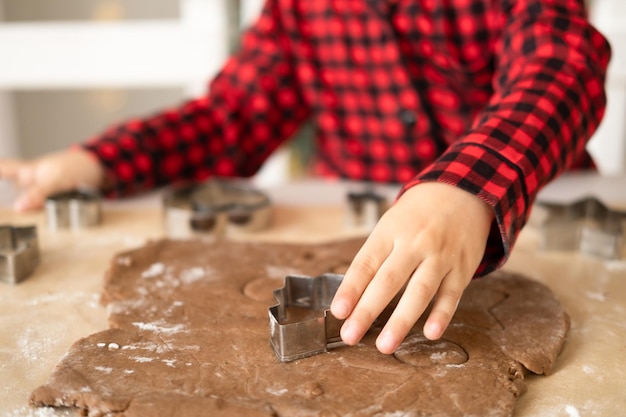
50	174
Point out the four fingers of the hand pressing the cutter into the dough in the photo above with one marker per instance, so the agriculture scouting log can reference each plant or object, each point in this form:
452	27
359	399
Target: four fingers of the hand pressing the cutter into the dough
372	282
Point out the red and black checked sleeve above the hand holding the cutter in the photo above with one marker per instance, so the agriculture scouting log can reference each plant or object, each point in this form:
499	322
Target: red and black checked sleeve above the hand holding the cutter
549	98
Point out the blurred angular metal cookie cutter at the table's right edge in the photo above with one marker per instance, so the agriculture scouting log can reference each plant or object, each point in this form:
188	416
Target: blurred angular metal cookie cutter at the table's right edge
586	225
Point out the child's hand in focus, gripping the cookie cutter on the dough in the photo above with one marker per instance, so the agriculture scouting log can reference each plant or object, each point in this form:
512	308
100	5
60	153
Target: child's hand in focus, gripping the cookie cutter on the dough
432	239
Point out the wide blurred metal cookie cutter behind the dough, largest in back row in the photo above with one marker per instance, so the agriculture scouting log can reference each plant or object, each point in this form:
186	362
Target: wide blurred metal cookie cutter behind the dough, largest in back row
215	207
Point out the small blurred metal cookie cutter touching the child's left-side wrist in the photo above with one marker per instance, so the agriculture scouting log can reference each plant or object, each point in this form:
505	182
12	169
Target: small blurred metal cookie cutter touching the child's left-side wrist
74	209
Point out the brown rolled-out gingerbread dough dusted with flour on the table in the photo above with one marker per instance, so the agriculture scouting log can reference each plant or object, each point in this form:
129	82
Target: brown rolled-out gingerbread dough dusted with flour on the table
189	335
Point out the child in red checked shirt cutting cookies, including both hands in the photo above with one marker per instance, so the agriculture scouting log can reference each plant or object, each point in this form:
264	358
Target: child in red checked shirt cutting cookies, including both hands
473	105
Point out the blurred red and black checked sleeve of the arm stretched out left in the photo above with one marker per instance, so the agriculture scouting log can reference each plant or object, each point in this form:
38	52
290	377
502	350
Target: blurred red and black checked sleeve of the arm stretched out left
251	107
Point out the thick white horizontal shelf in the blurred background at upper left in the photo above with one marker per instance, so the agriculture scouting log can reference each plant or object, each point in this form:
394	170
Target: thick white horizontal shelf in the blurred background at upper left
121	54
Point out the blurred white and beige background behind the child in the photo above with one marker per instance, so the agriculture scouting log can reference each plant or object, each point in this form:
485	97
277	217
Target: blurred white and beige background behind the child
69	68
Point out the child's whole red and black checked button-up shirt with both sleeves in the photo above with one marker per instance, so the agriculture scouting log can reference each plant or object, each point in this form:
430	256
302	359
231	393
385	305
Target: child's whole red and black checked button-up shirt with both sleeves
494	96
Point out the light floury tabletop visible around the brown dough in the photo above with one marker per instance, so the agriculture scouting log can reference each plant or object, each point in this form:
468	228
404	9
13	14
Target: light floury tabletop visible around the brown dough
59	304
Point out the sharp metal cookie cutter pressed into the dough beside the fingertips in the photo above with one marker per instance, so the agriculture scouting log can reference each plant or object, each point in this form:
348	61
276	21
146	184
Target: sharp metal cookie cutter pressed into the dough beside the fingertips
301	324
